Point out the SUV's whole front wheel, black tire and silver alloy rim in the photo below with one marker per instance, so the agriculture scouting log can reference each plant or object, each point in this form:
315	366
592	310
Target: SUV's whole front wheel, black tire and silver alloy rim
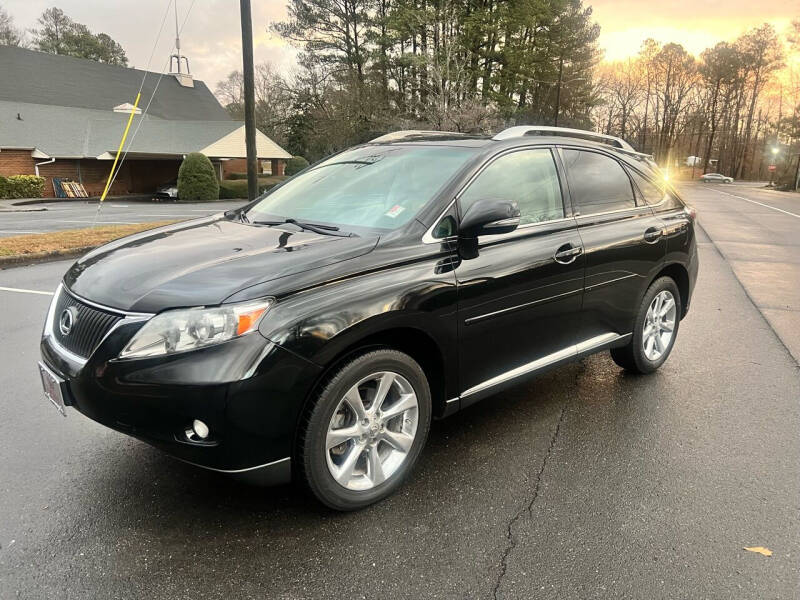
366	430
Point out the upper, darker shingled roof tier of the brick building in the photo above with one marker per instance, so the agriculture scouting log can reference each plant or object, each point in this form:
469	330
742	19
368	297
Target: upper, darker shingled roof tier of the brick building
41	78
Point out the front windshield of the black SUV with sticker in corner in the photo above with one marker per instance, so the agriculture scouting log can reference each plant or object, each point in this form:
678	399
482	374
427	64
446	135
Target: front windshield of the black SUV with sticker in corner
373	186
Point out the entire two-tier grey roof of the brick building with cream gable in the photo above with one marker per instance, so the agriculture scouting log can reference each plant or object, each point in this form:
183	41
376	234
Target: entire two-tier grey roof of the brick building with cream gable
63	107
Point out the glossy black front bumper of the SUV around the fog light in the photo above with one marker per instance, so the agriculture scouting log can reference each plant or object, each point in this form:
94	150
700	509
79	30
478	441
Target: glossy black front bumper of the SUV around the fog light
248	391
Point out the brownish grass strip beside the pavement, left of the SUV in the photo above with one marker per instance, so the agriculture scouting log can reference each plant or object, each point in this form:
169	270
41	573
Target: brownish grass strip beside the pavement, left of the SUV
56	242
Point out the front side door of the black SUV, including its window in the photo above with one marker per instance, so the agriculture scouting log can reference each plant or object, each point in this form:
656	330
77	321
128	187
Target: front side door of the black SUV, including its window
519	298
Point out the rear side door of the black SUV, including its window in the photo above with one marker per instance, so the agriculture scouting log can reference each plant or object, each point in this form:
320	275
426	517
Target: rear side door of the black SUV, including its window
623	240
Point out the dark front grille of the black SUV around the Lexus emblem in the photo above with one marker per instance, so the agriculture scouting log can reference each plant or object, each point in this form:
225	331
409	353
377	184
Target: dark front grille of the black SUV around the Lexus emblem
89	324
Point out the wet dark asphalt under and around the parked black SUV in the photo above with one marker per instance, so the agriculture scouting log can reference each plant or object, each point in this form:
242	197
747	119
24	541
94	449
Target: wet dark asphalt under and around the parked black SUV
587	483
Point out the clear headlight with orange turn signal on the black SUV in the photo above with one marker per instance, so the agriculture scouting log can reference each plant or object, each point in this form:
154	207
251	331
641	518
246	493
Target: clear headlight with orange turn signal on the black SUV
192	328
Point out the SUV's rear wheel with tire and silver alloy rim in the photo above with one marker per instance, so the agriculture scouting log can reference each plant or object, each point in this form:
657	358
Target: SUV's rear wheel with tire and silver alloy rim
655	329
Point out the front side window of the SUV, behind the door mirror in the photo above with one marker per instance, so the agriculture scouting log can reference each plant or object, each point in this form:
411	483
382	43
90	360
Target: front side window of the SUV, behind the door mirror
528	177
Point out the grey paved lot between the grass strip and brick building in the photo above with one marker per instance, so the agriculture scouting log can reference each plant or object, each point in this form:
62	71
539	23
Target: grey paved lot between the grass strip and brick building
76	215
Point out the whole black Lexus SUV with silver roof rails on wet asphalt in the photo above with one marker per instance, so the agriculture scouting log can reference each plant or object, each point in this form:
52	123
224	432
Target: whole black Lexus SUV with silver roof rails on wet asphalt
316	331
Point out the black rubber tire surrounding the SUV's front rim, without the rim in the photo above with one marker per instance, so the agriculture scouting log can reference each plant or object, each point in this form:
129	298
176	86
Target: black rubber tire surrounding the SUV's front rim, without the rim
312	452
